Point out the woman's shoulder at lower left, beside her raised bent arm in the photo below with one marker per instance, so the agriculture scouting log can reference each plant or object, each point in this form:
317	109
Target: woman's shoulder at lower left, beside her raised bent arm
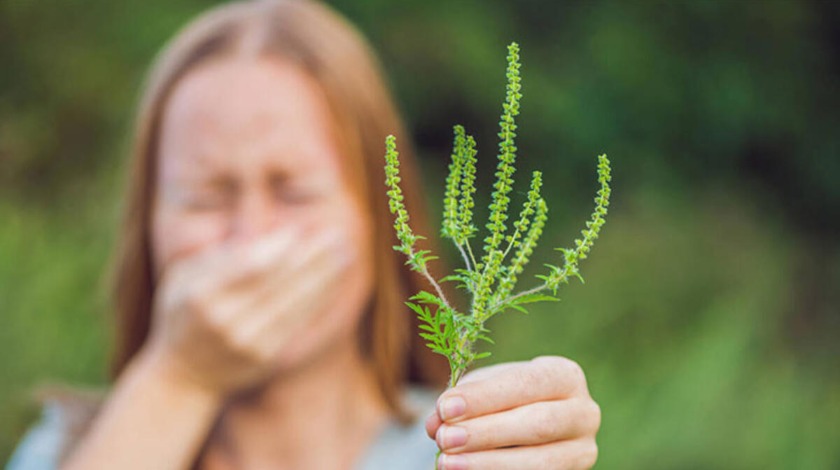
65	417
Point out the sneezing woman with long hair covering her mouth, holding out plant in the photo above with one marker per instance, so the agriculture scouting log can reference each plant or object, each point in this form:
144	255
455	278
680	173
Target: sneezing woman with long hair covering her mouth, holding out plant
259	303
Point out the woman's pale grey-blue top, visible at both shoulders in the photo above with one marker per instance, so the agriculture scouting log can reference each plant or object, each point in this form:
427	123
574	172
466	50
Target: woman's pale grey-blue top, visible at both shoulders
397	446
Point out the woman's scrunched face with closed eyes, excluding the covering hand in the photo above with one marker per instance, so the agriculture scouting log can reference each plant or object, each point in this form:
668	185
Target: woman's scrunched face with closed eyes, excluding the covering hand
248	147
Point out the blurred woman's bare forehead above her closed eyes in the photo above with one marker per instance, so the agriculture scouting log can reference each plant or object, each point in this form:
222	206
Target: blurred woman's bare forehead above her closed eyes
241	109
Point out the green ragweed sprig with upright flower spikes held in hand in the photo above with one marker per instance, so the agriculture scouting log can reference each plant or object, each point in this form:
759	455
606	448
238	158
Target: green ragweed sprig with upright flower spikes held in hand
491	279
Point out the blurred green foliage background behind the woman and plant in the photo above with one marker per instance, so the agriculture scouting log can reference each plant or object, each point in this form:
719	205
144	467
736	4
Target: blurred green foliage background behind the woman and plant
710	320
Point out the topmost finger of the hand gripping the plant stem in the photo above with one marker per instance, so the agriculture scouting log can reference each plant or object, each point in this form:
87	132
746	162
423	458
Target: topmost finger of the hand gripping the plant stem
518	384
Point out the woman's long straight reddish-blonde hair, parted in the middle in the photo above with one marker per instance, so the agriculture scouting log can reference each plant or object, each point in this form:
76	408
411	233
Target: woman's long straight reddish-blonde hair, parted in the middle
329	49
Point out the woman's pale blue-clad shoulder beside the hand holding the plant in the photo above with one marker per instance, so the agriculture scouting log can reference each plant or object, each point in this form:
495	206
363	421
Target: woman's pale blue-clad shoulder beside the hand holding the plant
405	446
